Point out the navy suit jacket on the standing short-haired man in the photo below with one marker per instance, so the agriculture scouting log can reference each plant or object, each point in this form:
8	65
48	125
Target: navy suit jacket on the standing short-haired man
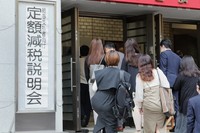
169	64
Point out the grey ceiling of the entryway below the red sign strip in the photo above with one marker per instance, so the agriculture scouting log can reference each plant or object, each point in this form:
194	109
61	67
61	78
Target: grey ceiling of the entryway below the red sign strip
119	9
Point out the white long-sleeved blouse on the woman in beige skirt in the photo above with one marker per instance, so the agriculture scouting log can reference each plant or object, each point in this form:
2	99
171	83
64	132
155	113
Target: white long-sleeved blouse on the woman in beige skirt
141	85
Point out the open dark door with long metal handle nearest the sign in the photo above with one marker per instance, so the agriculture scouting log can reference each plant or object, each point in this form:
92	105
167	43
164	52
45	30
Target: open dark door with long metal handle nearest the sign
73	123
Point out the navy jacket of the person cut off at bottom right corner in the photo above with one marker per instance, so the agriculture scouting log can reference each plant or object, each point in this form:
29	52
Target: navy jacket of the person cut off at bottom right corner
193	115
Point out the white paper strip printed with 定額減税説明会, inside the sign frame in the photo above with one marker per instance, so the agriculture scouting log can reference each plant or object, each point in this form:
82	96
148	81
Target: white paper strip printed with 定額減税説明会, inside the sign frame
36	94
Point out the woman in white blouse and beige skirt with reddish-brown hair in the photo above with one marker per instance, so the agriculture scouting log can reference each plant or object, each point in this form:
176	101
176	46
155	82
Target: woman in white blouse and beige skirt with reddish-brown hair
147	94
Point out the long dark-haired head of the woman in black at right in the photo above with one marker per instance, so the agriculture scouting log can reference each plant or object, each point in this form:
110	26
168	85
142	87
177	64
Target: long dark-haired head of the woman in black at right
188	67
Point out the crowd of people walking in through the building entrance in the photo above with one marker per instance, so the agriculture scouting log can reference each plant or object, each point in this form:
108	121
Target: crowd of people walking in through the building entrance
179	73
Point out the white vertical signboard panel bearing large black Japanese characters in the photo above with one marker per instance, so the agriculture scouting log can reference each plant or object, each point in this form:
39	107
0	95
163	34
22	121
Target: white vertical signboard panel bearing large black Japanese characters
36	57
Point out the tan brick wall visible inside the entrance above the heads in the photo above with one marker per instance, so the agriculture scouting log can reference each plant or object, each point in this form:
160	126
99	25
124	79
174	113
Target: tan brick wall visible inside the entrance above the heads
106	29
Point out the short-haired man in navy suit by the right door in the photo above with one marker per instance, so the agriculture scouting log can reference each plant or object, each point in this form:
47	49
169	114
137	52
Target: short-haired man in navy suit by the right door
169	64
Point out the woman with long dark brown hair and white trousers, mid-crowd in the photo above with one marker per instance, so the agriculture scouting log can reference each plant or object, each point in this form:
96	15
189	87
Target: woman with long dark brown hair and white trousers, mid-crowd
130	65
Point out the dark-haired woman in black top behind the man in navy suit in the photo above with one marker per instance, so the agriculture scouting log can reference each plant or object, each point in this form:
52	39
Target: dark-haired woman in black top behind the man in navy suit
185	84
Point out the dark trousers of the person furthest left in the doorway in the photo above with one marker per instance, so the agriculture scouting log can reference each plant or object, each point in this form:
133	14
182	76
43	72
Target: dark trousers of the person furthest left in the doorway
85	104
